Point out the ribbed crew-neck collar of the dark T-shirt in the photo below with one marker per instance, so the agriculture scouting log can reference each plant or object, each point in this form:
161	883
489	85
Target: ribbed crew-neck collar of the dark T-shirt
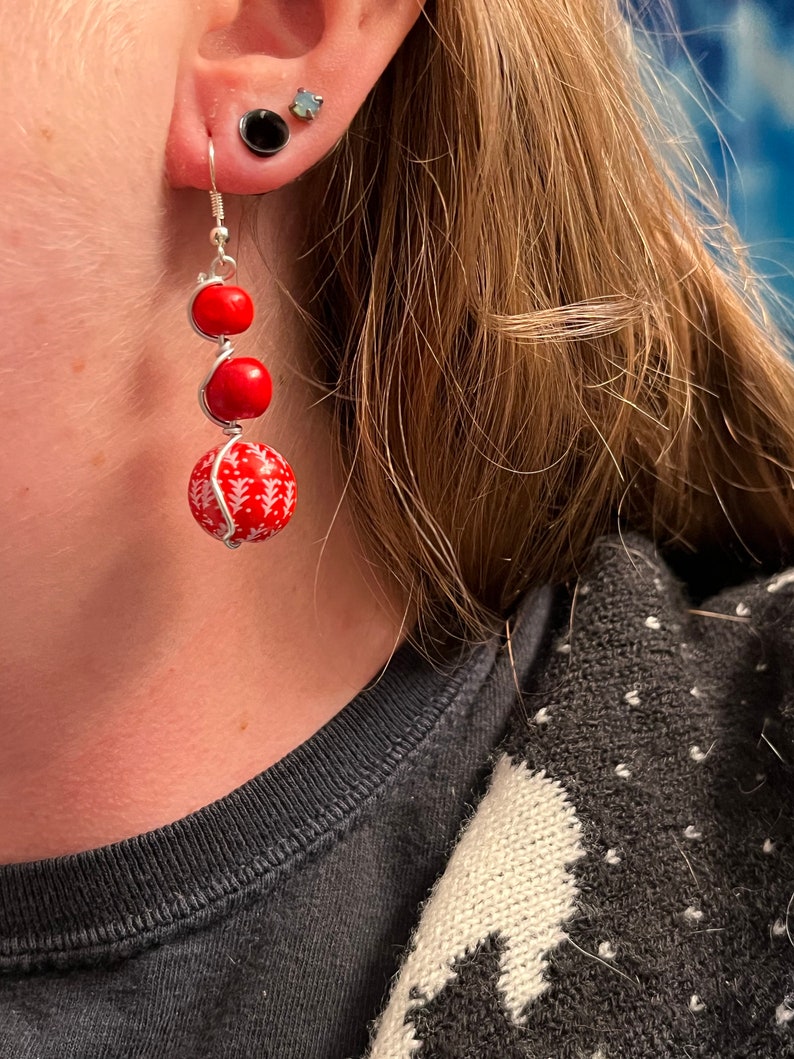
127	894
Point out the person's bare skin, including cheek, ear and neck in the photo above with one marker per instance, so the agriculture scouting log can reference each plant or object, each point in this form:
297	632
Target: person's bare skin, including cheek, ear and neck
147	671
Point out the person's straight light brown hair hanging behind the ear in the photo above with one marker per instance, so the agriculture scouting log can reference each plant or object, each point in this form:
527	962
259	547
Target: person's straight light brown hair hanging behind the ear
535	328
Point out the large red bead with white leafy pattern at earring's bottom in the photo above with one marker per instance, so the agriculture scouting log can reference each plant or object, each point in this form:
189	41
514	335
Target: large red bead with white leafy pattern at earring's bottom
258	486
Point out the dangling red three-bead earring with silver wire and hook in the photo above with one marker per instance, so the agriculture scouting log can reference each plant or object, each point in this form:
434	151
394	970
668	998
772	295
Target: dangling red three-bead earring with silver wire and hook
241	491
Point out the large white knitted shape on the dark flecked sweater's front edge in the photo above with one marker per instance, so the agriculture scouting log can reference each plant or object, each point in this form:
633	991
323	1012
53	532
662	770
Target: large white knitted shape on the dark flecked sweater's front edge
509	877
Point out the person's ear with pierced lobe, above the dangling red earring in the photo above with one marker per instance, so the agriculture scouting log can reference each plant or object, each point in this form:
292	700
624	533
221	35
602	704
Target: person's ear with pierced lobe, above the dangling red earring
243	56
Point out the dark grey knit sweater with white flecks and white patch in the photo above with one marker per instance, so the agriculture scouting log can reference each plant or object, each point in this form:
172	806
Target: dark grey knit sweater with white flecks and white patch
626	887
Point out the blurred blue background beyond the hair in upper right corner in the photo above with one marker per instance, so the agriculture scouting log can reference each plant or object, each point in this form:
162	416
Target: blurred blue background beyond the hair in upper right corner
745	50
